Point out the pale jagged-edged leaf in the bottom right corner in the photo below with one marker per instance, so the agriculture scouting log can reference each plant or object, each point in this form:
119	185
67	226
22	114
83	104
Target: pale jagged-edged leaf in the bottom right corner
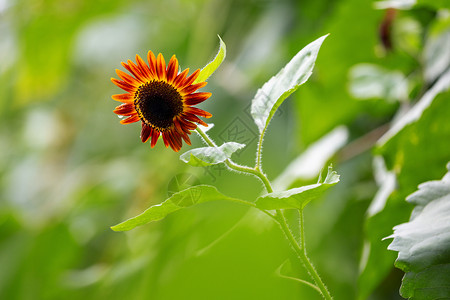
423	244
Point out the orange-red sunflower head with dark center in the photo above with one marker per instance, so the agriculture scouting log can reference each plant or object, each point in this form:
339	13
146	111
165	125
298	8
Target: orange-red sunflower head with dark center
162	99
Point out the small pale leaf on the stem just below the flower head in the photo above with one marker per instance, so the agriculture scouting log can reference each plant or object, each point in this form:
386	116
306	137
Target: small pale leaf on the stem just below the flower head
207	156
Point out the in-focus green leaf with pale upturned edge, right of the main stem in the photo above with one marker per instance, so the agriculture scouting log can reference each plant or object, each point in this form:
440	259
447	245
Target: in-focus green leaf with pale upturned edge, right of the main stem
297	198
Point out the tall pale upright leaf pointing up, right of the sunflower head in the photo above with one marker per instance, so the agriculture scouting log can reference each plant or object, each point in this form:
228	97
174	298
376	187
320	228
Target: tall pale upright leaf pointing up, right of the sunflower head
279	87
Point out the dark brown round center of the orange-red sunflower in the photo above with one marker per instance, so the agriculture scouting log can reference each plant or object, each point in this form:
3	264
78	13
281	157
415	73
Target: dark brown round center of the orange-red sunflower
157	103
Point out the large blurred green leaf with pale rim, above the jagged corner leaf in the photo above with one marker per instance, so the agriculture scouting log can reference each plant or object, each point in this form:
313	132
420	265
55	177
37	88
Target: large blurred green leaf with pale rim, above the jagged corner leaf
415	151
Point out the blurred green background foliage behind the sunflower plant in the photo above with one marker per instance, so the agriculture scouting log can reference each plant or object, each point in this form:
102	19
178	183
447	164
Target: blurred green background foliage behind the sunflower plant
69	170
